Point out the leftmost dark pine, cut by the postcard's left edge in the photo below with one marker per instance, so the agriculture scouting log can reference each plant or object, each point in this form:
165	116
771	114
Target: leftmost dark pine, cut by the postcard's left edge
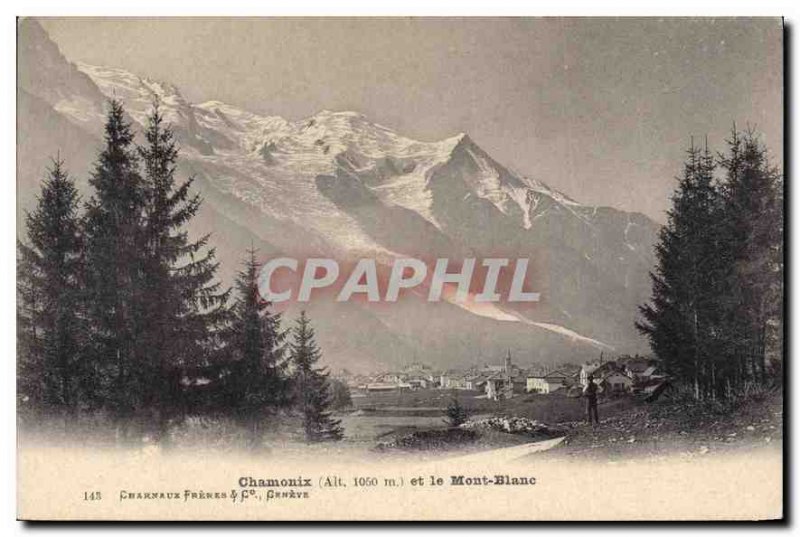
49	307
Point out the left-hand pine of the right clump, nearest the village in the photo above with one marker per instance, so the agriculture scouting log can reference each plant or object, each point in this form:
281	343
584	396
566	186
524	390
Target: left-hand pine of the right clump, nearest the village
681	319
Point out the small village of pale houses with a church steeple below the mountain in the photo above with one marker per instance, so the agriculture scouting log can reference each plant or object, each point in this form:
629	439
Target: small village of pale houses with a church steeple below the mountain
618	376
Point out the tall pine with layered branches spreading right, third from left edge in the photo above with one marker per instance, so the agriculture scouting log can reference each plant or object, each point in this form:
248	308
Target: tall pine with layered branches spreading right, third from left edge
182	305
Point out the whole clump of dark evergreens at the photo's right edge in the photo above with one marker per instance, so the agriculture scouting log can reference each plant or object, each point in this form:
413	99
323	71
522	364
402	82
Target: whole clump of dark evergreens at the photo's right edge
718	286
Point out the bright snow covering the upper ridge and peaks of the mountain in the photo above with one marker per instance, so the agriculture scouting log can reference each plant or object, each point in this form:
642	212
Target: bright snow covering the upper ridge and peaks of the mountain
272	163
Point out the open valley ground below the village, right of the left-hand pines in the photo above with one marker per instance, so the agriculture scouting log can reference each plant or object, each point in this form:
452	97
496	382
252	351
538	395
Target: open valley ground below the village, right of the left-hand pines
629	428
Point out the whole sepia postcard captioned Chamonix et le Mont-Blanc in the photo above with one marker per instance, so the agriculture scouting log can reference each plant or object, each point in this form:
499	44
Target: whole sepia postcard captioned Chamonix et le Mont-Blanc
423	269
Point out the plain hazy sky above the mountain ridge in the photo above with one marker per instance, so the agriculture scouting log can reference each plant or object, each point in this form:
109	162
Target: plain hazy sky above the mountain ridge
601	109
